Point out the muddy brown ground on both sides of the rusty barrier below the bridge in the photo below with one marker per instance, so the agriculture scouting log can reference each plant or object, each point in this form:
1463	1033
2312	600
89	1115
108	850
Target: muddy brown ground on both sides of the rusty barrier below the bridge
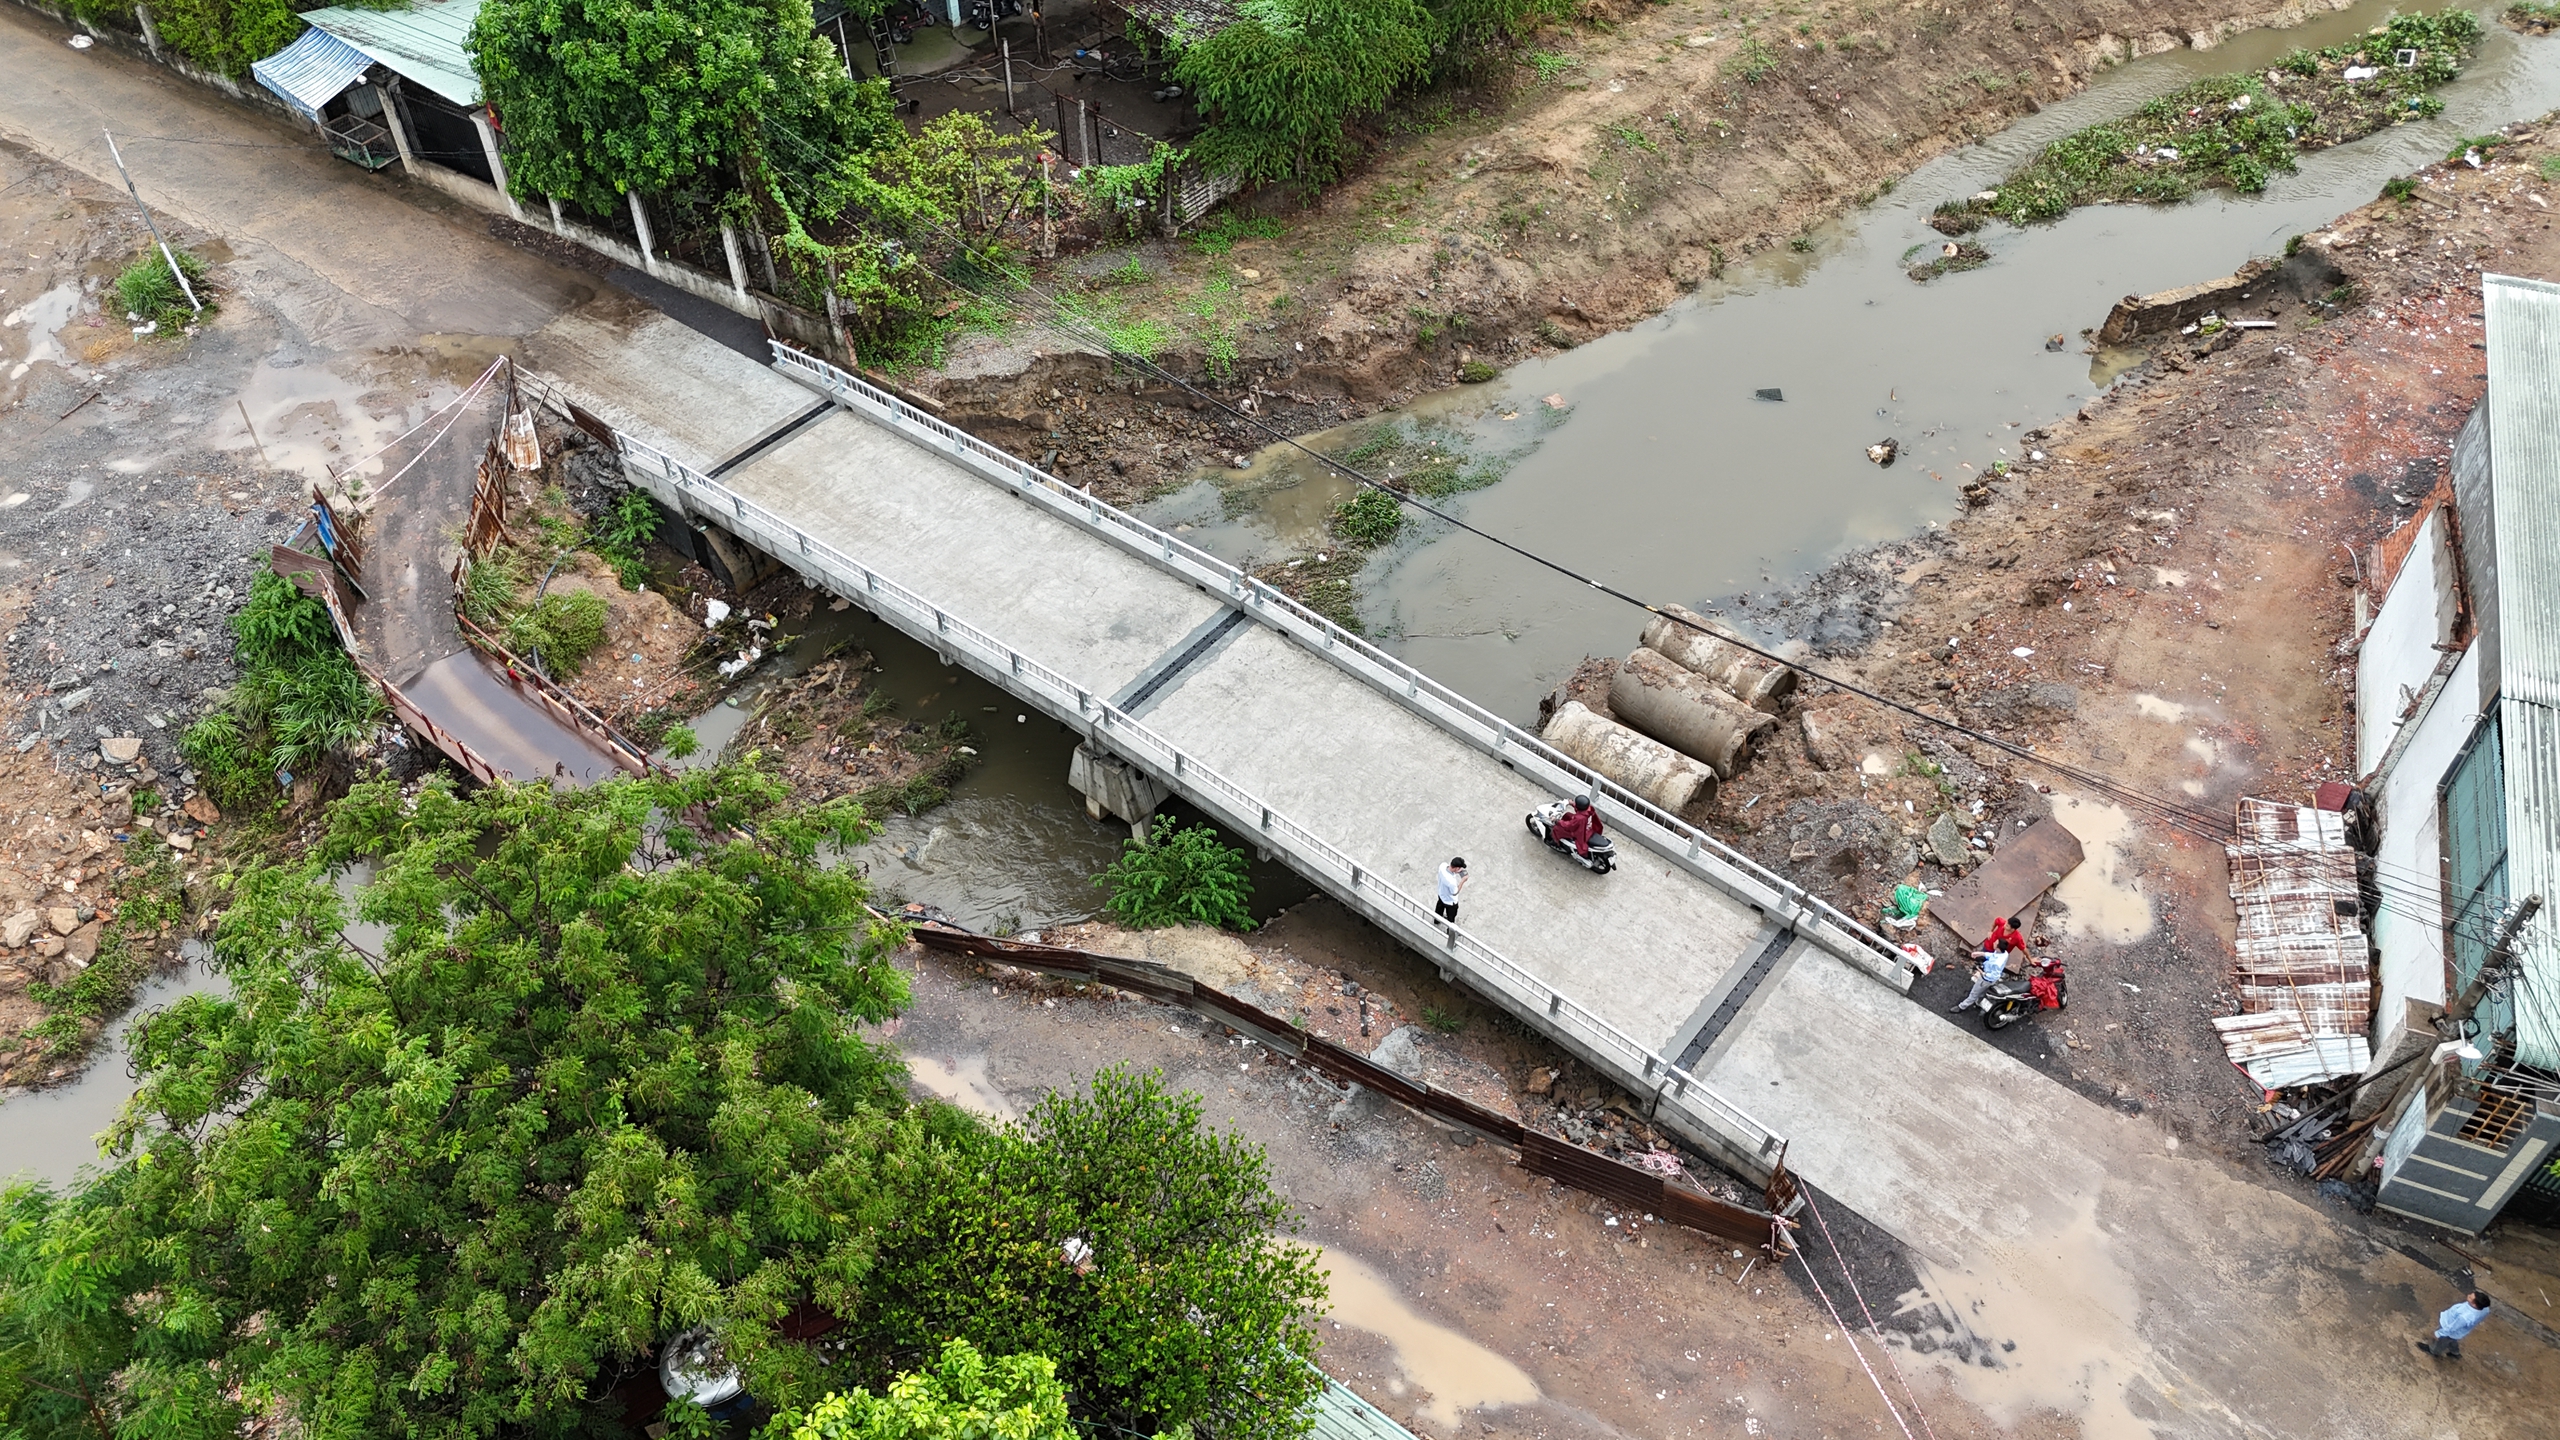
1468	1295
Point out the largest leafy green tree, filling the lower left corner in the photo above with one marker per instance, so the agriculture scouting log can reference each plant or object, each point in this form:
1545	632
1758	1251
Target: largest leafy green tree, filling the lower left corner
600	1083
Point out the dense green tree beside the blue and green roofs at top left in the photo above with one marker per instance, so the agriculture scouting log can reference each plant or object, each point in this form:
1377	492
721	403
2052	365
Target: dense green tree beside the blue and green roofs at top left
600	99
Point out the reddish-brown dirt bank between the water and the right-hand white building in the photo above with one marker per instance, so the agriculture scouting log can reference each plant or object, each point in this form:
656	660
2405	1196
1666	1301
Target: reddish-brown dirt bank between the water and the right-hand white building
2167	598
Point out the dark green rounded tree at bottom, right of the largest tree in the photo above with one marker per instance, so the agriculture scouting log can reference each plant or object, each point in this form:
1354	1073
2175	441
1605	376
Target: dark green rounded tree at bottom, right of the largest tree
1120	1236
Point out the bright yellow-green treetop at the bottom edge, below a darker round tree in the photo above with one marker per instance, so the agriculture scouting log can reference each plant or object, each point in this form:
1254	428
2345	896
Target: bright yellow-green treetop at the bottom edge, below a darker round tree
964	1398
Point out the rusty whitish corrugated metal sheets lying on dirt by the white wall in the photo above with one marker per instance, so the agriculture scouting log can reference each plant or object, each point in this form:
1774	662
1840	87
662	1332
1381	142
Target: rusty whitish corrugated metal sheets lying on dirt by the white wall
2303	975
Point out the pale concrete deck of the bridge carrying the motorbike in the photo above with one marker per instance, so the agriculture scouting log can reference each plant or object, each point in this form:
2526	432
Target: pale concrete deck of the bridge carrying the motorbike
1668	962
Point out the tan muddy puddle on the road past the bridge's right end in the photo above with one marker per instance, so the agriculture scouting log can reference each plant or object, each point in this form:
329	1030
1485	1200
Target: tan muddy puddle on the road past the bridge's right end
2075	1346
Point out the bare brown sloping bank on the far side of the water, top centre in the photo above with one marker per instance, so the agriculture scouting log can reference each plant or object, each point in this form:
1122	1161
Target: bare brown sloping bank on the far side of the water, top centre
1573	186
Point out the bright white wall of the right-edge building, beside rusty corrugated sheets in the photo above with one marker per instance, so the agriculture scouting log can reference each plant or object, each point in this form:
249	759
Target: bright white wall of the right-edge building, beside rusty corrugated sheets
2410	931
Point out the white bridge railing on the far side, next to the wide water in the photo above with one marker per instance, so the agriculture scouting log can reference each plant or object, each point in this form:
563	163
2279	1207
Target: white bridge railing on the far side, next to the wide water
1640	819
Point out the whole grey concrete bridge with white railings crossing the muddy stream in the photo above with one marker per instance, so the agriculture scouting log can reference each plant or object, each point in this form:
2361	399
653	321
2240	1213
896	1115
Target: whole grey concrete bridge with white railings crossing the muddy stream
1192	678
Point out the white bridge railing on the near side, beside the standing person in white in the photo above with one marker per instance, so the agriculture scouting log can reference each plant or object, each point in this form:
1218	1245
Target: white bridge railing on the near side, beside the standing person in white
1678	1095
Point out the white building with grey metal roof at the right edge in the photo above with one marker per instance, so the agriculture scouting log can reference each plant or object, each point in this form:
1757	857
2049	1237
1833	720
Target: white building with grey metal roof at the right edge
2459	747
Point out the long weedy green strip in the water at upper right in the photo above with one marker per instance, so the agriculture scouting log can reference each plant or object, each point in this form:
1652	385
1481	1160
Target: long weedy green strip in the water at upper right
2236	132
